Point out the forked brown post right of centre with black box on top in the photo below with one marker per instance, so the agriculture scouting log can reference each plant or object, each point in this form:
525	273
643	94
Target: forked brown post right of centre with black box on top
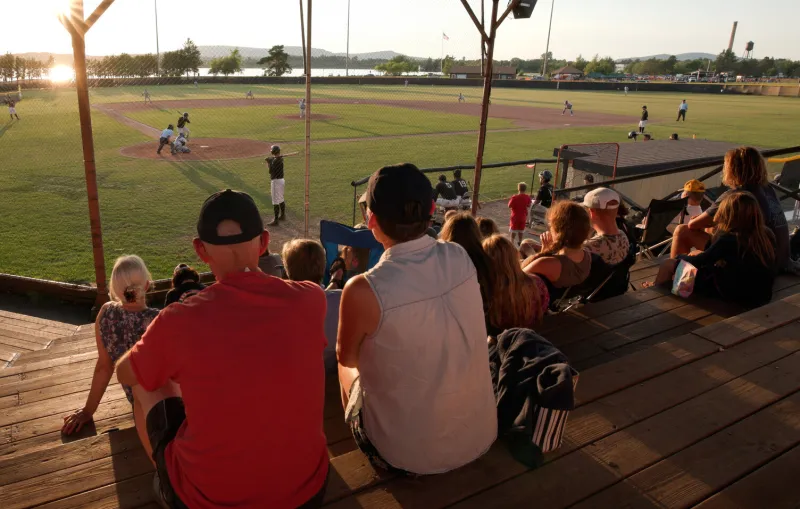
522	9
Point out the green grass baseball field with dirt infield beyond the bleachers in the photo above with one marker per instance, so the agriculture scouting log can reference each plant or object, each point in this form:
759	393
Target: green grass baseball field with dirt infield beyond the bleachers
149	202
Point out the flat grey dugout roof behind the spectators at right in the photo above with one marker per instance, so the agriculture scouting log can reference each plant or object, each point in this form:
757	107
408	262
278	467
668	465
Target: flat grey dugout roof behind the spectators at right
641	157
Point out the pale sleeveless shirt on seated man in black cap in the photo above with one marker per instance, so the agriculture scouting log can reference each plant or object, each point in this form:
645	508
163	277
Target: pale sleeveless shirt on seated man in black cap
429	406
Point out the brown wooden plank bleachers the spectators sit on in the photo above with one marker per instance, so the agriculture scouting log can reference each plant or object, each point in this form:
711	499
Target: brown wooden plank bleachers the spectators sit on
680	403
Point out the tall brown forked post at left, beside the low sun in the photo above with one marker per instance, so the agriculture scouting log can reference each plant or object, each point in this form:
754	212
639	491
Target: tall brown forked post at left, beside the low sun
77	28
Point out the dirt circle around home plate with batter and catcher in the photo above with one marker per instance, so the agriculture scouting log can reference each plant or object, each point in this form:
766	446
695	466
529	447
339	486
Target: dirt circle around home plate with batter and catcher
202	149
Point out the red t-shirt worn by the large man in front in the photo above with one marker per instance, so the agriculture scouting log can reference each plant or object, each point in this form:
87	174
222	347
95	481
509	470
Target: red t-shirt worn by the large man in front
247	353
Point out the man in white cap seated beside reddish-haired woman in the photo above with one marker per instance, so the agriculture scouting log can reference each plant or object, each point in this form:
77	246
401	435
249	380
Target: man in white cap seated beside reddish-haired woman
611	244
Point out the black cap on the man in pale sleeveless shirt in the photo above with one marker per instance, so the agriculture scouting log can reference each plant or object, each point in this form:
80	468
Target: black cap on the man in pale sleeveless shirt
392	188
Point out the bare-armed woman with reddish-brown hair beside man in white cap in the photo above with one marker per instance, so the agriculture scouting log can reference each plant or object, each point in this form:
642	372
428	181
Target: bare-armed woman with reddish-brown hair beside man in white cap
563	261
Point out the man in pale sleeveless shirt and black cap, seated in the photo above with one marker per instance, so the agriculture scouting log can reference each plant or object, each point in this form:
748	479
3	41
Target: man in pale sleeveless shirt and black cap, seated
412	351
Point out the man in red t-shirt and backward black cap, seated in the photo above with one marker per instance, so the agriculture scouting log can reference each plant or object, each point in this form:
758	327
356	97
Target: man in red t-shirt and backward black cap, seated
247	353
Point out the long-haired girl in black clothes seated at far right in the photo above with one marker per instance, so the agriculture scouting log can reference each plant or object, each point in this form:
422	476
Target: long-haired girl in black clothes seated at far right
739	265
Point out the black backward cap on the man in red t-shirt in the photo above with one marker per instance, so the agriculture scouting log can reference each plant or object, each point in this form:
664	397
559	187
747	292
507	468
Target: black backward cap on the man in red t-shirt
229	205
